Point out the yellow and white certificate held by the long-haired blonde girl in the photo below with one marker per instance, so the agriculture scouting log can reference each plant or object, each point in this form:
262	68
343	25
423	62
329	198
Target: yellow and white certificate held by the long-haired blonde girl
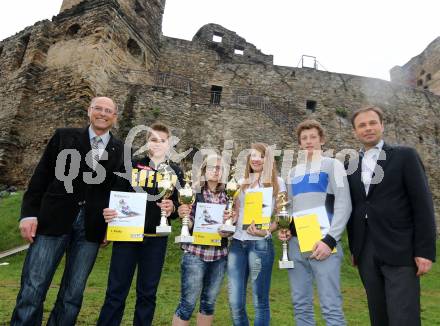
258	207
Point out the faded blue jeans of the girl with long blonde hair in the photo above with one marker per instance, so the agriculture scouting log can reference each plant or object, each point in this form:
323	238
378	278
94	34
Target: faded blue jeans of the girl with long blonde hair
252	258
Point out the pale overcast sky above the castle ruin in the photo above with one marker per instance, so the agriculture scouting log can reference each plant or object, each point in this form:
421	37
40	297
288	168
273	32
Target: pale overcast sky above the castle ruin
357	37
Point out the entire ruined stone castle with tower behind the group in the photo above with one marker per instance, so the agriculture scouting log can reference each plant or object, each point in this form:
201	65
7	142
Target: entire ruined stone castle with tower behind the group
214	88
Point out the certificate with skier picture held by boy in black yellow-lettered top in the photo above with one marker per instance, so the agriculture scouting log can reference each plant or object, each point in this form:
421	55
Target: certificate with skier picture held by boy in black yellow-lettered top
129	224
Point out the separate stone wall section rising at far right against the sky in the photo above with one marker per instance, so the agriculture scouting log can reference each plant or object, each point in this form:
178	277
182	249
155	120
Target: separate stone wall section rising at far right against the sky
422	71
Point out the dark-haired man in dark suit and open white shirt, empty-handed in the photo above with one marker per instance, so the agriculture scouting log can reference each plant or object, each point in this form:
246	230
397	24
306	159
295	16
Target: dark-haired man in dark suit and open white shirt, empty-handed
391	230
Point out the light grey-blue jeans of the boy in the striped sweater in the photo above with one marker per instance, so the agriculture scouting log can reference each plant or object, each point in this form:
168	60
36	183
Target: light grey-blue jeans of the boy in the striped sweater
327	276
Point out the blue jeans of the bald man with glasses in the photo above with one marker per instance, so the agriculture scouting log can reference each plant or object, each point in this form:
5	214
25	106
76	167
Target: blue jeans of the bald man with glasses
42	260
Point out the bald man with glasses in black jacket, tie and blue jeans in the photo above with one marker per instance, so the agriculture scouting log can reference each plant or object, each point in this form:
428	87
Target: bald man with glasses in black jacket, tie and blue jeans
58	217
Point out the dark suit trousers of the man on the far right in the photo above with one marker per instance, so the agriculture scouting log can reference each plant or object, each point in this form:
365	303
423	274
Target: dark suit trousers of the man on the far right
393	292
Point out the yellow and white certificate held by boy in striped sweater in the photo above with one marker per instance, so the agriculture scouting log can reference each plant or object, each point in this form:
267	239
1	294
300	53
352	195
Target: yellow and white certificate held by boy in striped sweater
311	226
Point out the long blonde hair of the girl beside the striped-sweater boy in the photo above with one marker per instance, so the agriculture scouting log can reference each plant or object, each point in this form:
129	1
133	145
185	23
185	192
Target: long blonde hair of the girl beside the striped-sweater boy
269	160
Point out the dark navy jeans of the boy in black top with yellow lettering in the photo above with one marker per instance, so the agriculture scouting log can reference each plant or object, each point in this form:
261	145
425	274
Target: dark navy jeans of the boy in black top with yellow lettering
148	256
